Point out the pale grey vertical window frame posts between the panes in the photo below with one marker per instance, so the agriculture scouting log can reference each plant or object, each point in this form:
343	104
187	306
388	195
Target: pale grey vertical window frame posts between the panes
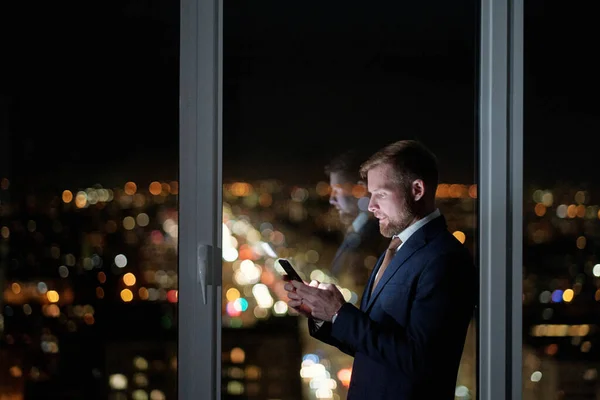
500	186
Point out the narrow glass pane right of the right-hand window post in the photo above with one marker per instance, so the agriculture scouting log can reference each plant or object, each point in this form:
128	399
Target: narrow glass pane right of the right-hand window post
561	237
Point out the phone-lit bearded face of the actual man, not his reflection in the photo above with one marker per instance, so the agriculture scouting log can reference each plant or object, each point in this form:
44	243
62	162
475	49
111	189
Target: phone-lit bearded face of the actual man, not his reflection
391	204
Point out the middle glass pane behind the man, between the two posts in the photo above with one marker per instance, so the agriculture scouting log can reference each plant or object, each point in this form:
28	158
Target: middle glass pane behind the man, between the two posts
302	86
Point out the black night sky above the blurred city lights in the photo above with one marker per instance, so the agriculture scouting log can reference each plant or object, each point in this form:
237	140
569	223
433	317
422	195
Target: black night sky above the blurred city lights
90	93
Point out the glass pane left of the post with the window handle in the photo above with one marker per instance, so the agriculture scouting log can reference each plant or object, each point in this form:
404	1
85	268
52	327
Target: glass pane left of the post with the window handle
88	200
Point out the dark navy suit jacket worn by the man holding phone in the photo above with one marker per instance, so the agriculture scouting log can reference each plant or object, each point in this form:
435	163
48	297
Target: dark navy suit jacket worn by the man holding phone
408	335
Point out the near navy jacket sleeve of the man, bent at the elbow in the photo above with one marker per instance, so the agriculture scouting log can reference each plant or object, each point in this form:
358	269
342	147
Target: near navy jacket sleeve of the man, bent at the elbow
443	299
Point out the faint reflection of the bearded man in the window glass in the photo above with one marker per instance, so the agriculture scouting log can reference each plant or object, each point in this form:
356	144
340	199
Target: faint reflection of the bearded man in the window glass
361	230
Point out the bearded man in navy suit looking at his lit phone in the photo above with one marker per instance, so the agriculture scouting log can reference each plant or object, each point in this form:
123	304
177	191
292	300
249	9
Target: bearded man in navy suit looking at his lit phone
408	334
